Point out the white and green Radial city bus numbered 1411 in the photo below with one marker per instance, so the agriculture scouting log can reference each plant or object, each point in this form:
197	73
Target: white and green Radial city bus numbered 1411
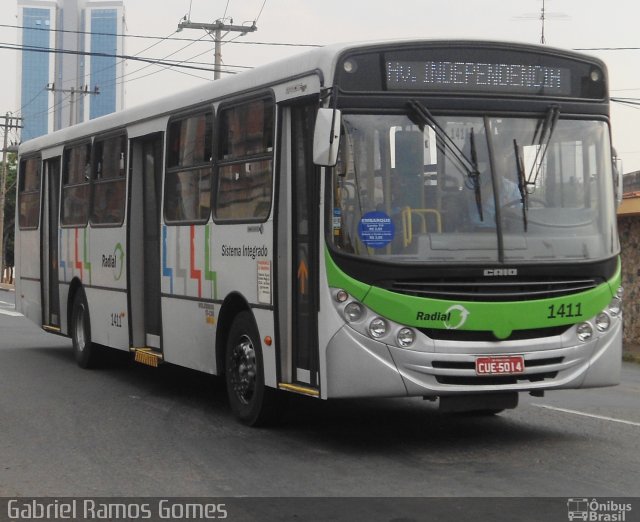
423	218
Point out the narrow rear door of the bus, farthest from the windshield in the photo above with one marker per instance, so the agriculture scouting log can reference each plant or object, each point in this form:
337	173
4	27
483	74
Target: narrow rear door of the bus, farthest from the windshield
49	245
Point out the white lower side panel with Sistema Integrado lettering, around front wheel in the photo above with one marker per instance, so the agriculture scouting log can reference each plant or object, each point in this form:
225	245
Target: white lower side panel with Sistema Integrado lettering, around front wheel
201	265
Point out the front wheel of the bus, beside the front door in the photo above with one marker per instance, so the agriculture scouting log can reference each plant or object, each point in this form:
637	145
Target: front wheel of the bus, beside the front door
251	401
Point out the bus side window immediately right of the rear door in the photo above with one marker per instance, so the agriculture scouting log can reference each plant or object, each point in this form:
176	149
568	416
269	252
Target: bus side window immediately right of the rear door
76	175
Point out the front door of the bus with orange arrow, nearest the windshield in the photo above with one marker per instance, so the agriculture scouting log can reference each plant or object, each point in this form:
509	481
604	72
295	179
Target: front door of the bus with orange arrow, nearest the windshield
299	220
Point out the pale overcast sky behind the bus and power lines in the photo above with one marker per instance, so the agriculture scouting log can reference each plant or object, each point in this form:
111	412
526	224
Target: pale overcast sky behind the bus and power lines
570	24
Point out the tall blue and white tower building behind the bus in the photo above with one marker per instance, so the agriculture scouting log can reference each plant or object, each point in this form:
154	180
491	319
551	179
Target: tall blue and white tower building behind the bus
60	89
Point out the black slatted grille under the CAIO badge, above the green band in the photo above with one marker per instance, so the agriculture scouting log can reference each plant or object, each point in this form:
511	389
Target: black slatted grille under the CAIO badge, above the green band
502	290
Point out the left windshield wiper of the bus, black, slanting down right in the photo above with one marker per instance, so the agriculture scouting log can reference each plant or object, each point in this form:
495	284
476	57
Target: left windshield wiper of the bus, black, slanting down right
421	116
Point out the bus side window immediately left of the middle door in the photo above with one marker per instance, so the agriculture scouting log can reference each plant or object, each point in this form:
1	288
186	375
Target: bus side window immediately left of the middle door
109	185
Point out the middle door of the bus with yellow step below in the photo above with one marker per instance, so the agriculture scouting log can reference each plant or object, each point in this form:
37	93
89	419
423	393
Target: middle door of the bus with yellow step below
144	247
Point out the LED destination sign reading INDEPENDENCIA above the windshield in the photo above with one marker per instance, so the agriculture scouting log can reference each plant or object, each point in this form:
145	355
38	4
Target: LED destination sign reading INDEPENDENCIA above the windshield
521	78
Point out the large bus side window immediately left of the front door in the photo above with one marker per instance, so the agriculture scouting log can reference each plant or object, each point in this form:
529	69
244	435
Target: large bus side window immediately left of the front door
245	162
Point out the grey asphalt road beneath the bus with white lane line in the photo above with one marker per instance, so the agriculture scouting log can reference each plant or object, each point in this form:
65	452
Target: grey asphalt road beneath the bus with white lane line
131	430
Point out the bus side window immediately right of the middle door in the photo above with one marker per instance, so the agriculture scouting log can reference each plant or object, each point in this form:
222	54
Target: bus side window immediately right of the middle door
187	193
